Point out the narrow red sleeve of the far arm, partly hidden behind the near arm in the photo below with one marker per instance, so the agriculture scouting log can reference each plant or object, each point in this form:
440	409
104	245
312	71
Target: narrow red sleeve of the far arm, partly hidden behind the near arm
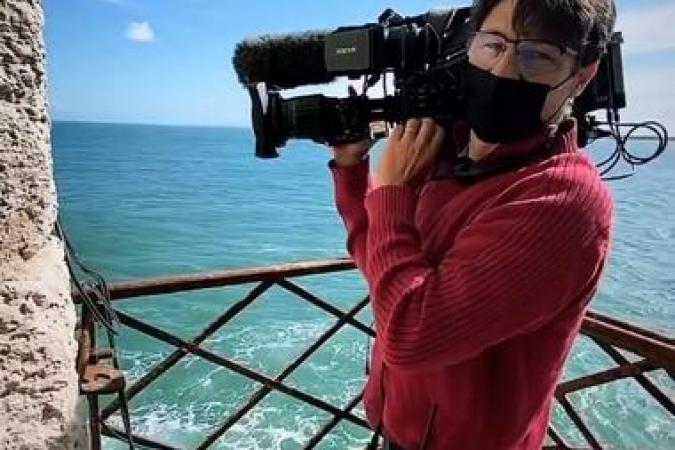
351	185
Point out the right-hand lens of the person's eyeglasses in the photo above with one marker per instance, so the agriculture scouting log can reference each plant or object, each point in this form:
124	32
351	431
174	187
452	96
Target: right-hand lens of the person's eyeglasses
539	61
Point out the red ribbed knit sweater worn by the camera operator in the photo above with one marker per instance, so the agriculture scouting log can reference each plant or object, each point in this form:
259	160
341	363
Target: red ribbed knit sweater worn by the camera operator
477	292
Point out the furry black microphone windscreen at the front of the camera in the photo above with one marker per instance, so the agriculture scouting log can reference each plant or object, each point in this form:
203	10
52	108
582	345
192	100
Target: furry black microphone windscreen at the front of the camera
283	61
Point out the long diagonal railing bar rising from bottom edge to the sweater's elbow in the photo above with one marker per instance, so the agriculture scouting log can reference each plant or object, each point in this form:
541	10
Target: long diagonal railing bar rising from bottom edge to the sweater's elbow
263	391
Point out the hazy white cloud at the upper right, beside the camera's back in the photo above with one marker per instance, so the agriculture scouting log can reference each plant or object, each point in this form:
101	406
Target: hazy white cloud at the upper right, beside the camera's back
648	29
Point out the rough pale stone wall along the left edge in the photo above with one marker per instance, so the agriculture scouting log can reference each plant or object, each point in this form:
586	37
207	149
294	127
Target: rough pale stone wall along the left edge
38	382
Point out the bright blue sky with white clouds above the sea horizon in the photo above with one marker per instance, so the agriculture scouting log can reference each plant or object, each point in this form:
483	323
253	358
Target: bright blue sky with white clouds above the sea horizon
169	61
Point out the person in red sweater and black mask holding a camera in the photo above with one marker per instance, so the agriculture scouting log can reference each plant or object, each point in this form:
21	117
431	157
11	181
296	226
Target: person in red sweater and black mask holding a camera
479	284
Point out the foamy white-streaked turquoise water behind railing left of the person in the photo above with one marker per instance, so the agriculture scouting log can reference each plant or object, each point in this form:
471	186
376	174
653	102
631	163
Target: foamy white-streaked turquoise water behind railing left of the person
282	424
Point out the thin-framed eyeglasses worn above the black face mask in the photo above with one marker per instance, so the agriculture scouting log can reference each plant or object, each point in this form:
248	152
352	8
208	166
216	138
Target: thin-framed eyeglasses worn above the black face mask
536	60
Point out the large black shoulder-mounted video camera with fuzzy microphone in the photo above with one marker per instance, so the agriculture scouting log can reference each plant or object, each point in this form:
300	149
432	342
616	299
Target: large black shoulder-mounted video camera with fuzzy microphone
426	55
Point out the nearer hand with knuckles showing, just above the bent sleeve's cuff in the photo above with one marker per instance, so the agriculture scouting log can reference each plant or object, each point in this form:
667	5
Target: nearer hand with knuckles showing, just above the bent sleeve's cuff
410	151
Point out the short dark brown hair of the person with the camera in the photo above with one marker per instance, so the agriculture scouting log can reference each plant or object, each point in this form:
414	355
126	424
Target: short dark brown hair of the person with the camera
583	25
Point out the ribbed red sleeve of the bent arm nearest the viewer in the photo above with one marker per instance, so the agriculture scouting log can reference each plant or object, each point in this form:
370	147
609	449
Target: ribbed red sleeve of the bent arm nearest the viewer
509	271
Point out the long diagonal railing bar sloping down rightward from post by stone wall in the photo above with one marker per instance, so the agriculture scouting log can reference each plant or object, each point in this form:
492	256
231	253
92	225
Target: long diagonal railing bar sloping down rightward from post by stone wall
168	338
